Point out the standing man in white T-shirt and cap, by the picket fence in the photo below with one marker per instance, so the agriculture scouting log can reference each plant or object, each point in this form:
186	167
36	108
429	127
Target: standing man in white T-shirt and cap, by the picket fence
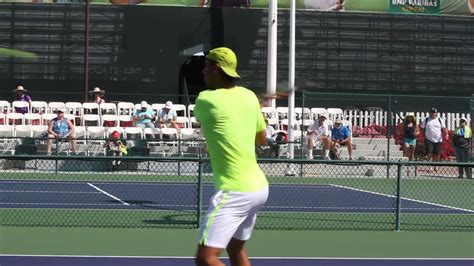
434	129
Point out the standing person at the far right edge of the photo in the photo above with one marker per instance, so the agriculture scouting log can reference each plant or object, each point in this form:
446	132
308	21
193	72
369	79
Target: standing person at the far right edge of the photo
462	139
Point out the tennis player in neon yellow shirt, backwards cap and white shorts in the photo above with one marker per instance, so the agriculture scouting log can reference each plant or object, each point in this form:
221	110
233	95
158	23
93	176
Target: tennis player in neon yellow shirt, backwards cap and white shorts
232	124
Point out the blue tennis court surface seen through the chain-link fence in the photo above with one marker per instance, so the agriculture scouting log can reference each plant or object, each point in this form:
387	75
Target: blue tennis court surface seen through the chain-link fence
183	197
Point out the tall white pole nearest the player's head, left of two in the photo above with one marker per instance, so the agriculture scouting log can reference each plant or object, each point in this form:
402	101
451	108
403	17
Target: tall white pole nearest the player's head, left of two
272	49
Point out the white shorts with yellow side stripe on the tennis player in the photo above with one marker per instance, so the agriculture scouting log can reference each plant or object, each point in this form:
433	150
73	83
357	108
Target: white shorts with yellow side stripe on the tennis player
231	215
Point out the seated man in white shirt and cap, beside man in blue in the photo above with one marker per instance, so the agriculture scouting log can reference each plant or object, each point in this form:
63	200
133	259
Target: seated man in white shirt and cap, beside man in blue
318	133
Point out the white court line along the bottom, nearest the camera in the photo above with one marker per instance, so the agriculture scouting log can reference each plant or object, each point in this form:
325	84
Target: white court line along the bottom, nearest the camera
256	258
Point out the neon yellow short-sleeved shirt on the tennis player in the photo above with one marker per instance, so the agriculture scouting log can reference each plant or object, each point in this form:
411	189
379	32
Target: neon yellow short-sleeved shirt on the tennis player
230	119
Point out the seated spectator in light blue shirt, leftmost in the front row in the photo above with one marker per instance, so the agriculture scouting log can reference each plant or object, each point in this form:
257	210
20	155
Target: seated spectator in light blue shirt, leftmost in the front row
61	129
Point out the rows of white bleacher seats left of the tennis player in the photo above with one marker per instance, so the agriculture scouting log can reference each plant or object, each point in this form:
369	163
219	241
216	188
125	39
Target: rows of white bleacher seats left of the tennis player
93	126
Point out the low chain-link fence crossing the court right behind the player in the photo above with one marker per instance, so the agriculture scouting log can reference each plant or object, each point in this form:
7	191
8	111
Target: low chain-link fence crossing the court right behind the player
105	191
